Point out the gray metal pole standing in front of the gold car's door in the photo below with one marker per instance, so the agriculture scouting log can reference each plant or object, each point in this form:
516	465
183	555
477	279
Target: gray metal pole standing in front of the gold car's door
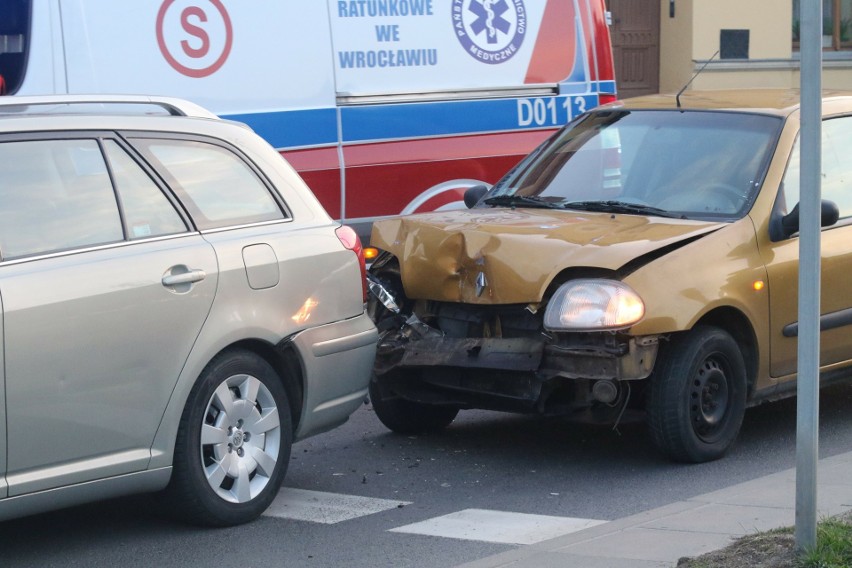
807	422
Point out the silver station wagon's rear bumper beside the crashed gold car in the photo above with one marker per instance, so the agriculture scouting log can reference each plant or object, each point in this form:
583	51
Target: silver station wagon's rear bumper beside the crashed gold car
337	361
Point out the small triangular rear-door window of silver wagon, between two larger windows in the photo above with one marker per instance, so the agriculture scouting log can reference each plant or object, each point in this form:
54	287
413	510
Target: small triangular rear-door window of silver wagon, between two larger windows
147	212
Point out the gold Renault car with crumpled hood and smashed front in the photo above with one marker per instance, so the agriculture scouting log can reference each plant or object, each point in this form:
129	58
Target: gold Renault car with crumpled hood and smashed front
644	257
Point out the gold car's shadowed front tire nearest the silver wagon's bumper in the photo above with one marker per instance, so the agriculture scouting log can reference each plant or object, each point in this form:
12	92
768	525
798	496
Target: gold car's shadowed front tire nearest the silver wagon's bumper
409	417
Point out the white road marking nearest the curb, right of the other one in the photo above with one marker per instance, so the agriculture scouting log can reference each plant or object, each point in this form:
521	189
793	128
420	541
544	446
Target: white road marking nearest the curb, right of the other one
498	526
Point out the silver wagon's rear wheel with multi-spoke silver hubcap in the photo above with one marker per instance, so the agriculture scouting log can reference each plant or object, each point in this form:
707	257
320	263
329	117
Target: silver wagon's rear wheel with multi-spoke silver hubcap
233	443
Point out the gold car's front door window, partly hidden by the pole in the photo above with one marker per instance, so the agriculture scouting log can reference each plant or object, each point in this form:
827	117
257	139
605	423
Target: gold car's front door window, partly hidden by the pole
836	168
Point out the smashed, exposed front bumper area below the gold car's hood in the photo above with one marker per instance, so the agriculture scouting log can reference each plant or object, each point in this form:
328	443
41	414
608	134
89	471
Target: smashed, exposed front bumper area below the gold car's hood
501	357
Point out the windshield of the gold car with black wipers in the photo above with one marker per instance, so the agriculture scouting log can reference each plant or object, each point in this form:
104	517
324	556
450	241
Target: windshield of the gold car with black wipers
692	164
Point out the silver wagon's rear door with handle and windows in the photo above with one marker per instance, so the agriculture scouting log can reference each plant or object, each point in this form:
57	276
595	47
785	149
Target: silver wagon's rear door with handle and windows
105	288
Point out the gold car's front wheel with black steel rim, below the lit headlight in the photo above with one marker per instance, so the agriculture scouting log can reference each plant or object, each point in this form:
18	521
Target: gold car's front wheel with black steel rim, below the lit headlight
697	395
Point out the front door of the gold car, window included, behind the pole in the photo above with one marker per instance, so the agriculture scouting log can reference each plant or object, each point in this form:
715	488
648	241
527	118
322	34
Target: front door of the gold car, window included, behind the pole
836	253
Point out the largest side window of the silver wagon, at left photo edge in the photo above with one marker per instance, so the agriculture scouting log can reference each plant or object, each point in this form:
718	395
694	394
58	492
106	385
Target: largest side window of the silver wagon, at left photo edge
55	195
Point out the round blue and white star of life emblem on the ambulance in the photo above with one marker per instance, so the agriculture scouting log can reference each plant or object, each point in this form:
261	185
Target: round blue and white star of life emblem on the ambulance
491	31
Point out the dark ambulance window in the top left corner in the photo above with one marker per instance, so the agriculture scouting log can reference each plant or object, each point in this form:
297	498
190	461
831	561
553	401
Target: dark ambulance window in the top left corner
14	32
